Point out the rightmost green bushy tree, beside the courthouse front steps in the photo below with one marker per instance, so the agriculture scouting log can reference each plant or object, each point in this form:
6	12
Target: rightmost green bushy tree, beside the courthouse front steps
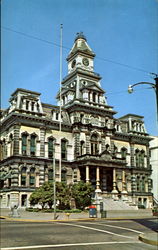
82	193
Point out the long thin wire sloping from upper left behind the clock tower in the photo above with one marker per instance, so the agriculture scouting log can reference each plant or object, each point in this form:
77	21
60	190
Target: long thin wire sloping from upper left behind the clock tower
58	45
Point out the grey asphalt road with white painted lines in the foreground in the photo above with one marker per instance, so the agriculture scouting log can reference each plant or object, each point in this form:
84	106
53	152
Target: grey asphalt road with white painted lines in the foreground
79	235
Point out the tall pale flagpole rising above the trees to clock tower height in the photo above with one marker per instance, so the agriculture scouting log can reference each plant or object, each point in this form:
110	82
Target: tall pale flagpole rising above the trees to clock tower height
61	59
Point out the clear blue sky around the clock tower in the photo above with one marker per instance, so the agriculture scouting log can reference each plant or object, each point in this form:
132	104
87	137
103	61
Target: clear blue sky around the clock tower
122	33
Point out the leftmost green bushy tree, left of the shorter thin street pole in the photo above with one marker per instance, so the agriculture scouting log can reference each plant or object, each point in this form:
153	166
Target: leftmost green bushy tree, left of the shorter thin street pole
43	195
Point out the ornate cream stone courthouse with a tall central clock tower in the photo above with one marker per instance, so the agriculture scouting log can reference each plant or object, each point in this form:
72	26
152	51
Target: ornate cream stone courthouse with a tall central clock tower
86	141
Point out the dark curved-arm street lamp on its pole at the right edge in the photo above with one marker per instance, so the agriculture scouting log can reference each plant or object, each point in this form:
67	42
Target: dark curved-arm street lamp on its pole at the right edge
153	85
